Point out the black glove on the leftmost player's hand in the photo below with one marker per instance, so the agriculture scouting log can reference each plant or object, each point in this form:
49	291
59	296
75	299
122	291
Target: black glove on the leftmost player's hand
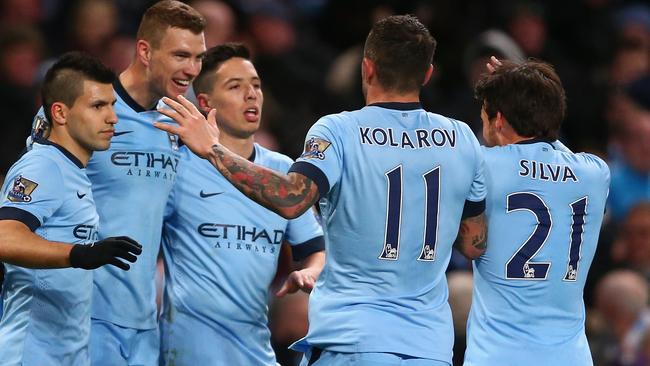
99	253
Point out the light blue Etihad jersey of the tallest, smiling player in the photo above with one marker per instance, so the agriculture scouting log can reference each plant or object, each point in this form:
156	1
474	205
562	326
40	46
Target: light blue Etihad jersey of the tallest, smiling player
131	182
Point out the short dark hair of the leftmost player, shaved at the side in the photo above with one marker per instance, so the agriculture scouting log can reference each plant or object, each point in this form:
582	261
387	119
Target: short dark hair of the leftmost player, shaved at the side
64	80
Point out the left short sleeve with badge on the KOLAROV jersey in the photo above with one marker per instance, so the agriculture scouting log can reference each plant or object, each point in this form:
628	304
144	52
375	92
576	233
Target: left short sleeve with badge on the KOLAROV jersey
322	159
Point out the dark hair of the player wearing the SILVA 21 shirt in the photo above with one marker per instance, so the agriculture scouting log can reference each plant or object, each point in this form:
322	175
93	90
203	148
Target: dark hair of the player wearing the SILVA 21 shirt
529	95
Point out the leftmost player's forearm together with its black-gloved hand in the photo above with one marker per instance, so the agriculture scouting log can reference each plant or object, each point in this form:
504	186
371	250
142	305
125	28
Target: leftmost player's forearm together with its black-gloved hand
21	247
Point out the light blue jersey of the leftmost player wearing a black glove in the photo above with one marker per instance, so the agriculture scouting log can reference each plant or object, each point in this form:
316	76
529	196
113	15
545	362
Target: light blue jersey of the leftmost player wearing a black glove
46	312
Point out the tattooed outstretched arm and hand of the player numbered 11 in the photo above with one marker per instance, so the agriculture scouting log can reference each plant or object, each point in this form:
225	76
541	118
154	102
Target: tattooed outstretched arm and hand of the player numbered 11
288	195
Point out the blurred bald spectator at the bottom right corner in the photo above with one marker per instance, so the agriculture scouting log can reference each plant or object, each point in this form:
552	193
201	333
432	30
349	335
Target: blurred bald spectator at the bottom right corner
621	300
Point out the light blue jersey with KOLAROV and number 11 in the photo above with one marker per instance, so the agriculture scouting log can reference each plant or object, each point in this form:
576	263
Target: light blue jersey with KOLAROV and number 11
394	180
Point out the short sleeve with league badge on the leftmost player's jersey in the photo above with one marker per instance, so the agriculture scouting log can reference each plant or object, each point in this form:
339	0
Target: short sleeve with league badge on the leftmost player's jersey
32	190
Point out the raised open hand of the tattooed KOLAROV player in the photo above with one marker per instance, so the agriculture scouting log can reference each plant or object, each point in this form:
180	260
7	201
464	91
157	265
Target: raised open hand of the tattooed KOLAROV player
197	132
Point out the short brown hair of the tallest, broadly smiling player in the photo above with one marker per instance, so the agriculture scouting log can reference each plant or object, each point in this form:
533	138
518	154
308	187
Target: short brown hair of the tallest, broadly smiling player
165	14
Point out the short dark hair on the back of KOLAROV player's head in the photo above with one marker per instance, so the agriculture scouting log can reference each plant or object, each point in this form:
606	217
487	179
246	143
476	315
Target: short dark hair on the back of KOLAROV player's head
402	49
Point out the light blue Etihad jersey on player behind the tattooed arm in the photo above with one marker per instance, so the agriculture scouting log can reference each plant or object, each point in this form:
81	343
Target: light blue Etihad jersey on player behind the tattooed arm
221	254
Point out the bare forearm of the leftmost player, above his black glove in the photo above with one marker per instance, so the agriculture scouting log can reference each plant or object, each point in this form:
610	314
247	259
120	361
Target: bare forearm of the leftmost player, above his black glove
21	247
